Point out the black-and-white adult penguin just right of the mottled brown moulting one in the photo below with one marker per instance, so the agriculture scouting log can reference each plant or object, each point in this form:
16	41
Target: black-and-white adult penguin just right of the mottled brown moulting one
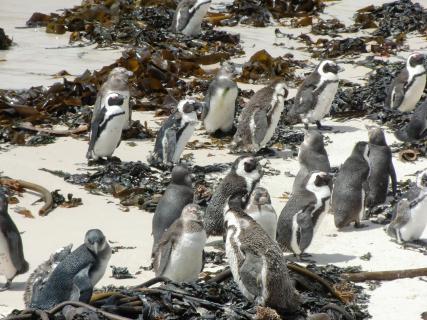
315	95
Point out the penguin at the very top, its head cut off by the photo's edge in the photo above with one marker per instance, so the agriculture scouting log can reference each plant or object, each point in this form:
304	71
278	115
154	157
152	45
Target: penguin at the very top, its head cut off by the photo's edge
188	17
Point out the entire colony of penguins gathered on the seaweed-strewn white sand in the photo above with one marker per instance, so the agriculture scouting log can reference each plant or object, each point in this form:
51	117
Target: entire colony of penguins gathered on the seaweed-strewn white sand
240	209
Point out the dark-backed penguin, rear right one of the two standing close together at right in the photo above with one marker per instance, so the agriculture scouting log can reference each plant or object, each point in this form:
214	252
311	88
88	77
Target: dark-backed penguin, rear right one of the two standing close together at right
381	168
